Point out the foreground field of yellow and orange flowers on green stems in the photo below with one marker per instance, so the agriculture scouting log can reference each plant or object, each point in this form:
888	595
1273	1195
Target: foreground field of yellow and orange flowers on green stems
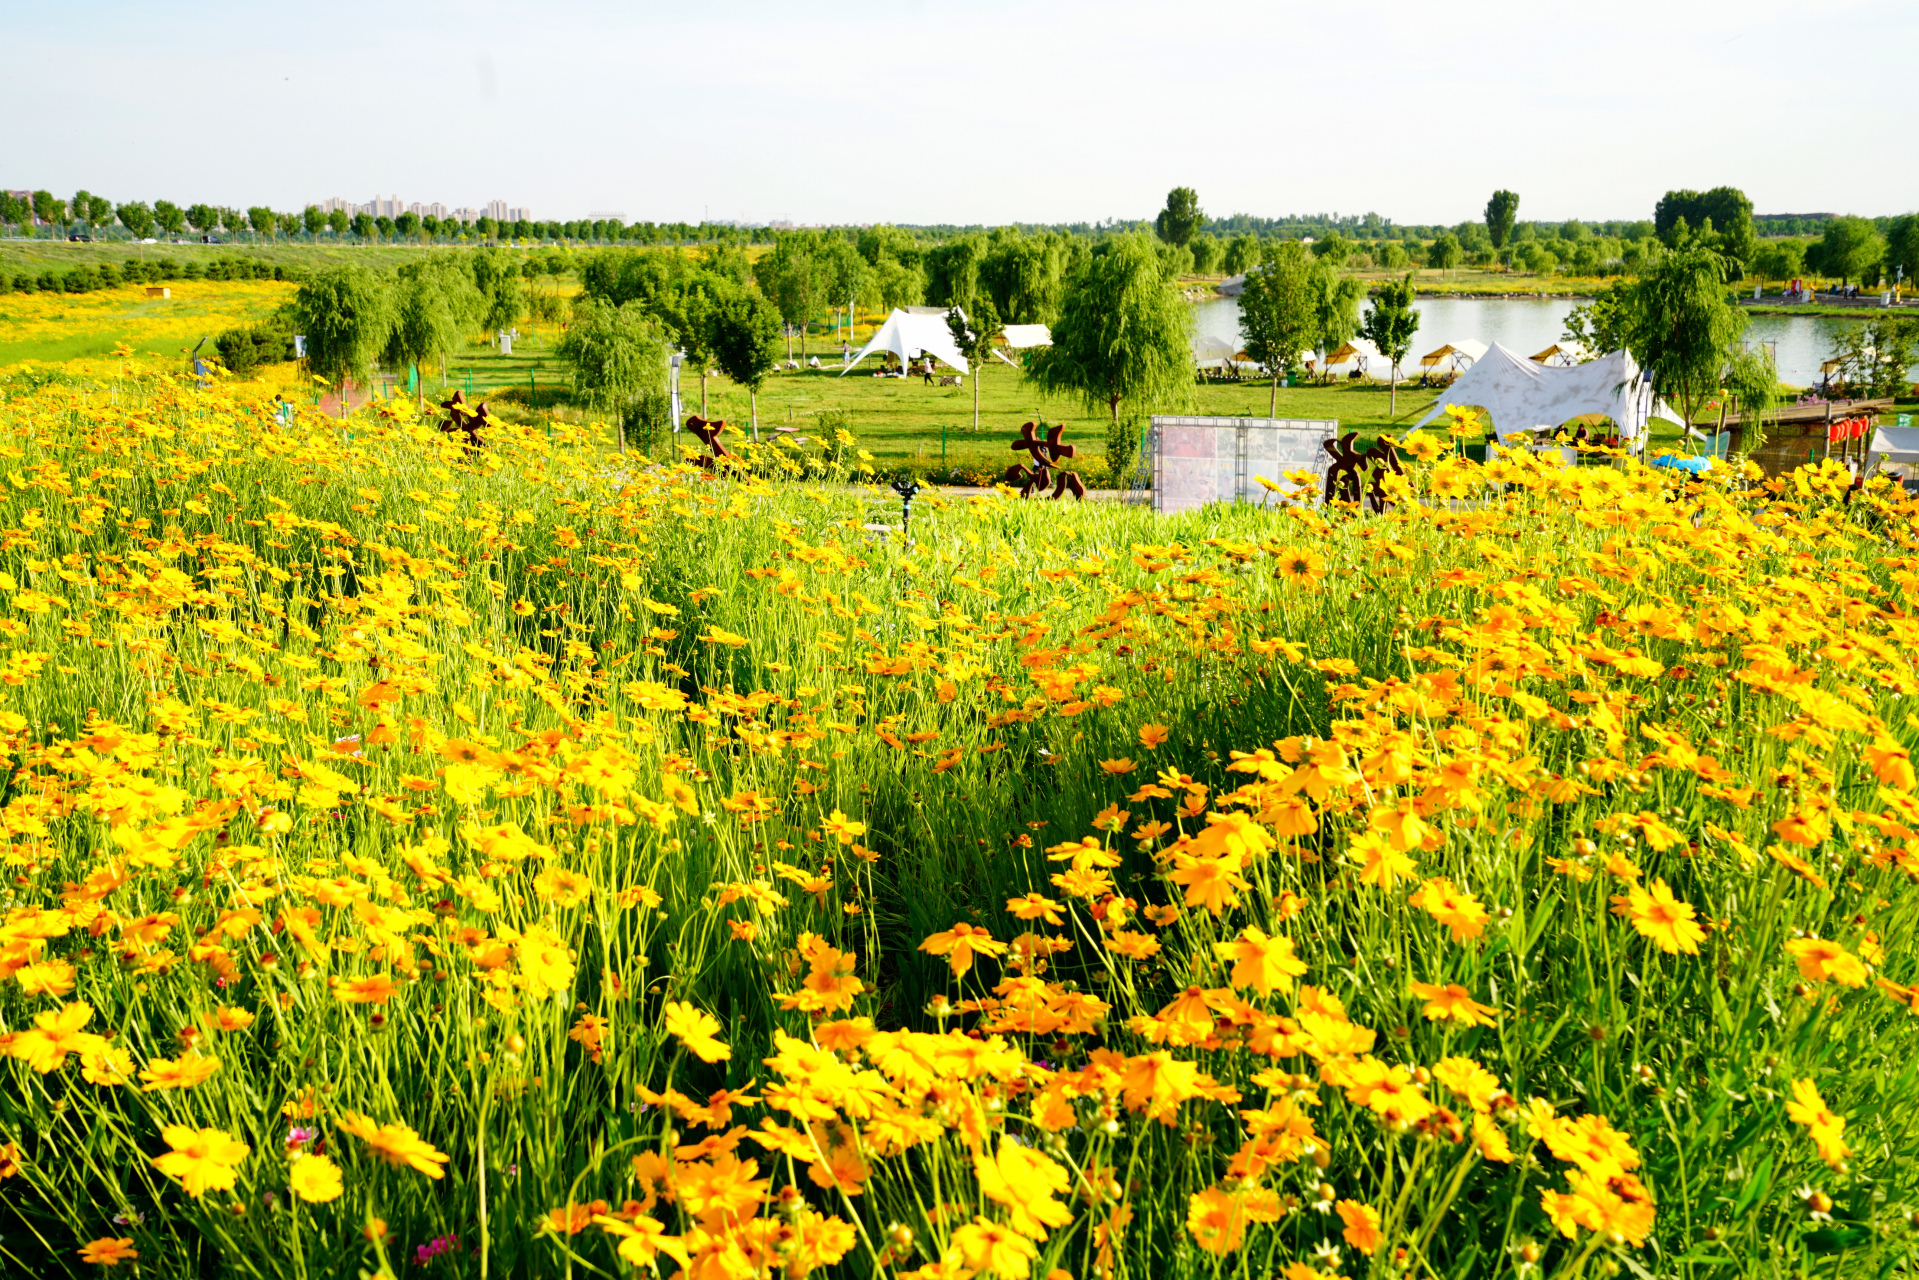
534	863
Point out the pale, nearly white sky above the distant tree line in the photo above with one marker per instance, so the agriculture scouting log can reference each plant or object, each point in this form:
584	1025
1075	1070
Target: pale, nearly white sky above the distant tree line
983	112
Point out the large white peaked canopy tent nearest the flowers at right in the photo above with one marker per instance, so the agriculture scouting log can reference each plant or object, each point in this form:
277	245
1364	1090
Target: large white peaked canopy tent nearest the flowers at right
1525	396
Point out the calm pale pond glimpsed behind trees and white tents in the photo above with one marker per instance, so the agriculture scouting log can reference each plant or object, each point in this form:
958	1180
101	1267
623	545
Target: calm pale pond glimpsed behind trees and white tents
1527	325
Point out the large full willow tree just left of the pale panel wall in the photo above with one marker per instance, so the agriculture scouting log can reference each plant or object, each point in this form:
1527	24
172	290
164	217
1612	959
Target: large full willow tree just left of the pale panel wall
1124	333
